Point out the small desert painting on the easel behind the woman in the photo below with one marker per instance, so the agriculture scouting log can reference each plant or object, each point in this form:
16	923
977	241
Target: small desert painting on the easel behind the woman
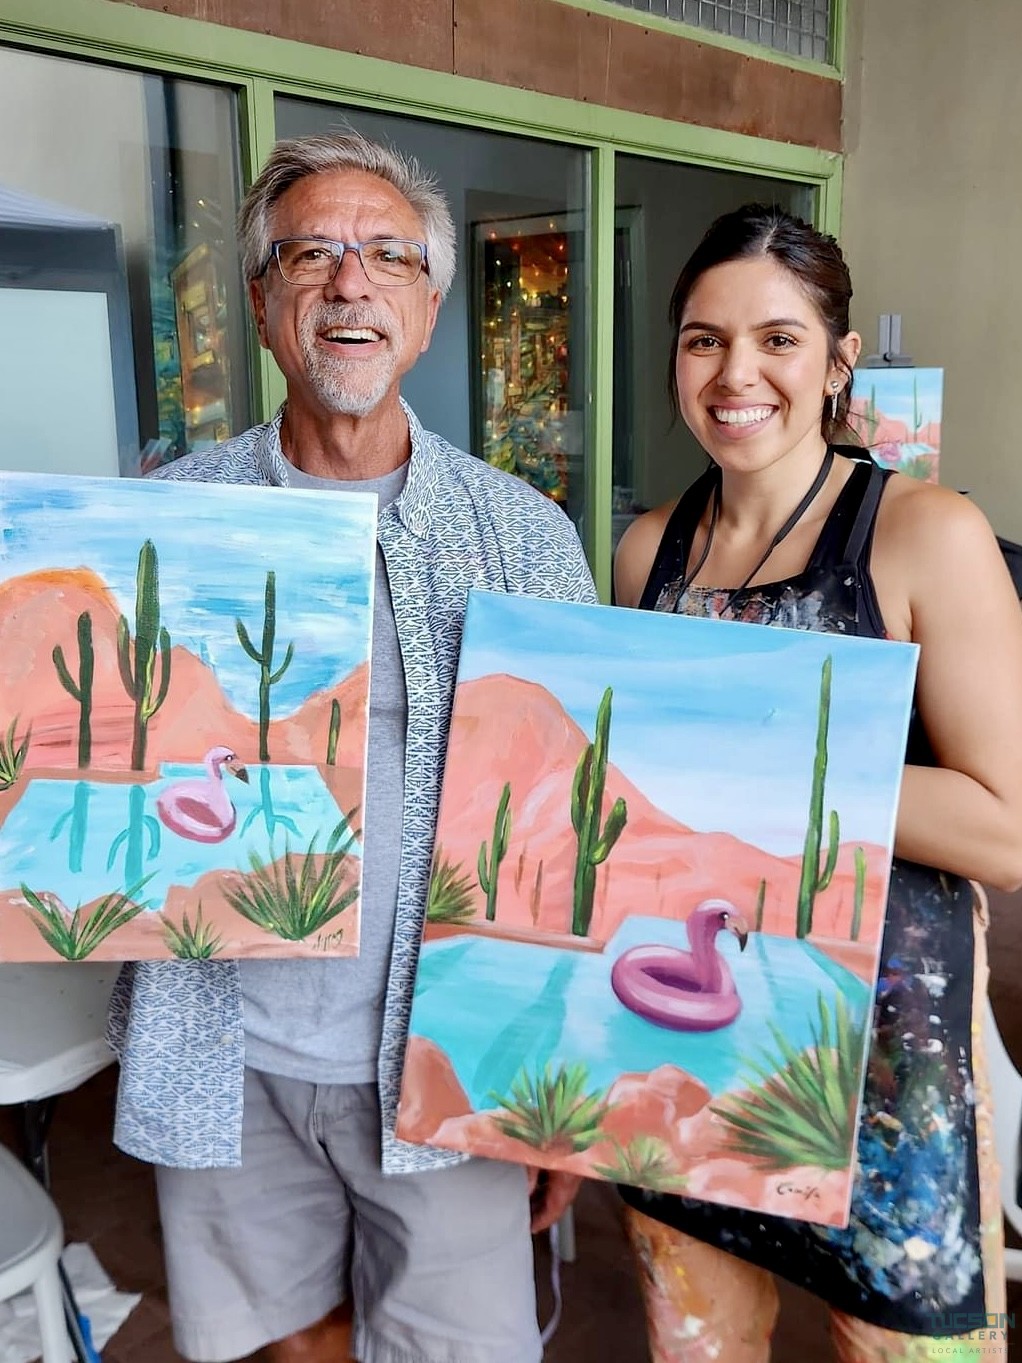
897	415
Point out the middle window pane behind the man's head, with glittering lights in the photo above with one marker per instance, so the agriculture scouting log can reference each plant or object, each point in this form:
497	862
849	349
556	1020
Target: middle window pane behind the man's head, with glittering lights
505	376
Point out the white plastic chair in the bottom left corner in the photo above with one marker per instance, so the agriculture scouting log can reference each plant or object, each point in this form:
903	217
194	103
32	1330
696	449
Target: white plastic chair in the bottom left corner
31	1244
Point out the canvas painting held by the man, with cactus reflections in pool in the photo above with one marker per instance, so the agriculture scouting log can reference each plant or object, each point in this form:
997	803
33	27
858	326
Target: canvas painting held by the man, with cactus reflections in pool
185	675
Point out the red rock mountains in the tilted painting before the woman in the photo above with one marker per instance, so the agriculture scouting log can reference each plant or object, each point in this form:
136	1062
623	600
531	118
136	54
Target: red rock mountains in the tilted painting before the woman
509	730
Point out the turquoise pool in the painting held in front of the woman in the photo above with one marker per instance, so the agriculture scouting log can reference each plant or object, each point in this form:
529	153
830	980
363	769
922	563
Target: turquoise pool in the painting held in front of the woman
498	1007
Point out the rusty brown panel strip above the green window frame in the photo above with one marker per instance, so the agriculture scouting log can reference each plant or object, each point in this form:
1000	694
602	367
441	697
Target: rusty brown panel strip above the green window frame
558	50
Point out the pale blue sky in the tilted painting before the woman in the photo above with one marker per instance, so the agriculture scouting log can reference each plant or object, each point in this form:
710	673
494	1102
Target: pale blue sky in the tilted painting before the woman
715	722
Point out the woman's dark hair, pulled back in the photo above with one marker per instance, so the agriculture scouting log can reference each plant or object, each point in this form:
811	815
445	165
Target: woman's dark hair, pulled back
813	257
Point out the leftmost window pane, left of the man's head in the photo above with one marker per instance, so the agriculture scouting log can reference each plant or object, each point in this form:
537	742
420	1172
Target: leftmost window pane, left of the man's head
122	313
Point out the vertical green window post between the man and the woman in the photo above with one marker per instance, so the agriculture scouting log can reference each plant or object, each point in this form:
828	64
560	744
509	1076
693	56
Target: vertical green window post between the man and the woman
602	370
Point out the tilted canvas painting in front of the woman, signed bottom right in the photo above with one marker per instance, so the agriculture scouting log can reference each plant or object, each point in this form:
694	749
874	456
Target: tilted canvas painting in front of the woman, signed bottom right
657	902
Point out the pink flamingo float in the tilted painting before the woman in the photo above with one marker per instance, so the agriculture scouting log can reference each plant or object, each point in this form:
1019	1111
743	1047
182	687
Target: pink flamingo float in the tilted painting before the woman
689	992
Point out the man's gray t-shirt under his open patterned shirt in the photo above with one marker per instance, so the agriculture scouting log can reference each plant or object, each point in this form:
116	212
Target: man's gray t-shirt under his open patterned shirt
321	1020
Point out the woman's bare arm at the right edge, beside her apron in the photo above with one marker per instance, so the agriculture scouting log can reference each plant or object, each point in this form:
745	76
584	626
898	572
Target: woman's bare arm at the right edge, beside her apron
961	609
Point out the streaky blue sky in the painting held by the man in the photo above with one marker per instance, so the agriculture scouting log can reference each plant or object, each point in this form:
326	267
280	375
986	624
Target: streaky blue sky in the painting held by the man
216	546
